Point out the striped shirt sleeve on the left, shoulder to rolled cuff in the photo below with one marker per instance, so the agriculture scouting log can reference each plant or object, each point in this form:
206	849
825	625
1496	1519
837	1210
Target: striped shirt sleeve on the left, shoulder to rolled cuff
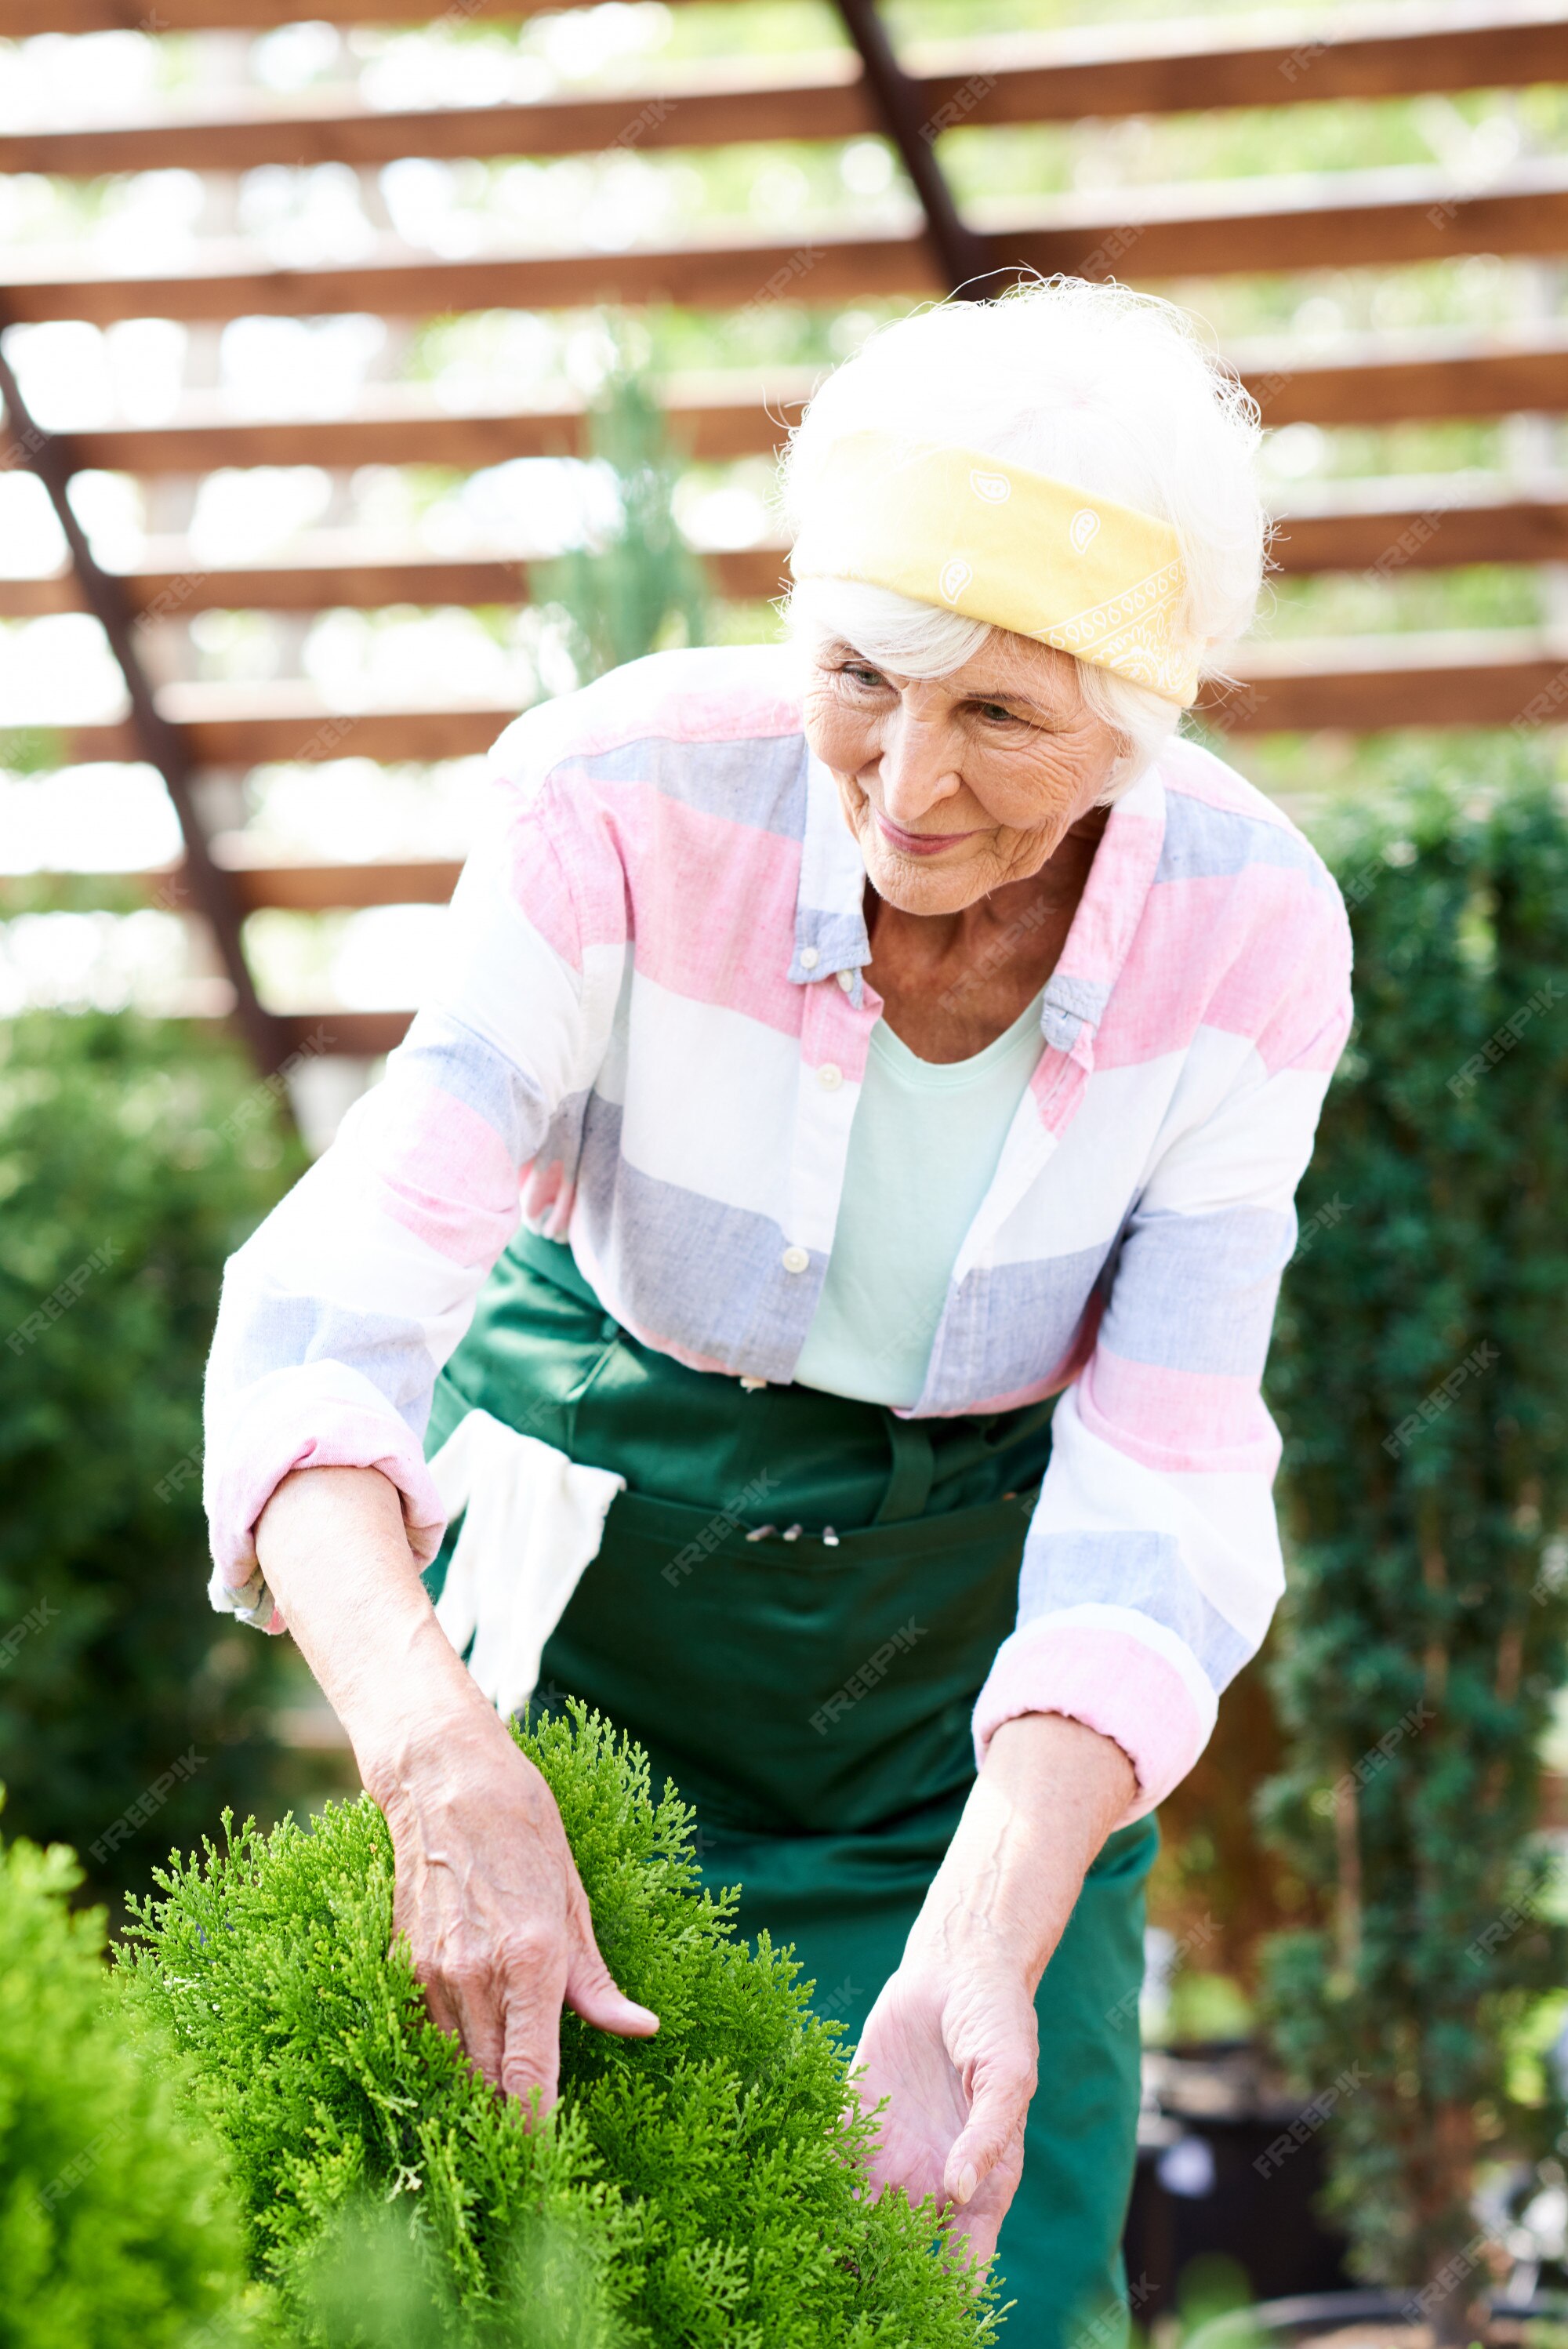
353	1293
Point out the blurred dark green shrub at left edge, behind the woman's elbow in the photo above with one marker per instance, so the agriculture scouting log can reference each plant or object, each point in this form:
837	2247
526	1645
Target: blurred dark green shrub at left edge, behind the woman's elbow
133	1162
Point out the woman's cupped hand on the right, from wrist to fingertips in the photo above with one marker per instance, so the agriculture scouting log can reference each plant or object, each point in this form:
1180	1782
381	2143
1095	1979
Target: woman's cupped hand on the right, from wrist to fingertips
954	2050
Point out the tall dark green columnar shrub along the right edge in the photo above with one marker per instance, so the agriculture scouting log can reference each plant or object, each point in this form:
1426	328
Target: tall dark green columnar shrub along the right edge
1424	1387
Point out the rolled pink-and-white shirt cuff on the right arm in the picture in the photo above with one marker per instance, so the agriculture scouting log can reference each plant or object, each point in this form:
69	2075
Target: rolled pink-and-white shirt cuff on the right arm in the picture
1114	1678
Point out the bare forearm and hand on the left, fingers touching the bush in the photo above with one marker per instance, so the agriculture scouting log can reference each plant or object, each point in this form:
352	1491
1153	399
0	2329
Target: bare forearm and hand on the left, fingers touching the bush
487	1890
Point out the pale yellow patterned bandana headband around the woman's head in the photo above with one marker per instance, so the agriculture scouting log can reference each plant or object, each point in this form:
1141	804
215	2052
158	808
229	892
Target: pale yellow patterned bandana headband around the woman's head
996	544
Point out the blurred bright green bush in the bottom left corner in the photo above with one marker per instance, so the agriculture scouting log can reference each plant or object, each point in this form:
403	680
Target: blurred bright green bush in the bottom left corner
111	2197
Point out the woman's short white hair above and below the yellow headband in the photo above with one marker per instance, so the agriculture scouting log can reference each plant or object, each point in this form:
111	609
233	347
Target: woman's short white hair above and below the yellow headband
1090	384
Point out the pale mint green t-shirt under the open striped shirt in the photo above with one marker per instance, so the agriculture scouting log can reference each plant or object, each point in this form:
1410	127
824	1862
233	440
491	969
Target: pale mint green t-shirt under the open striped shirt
924	1150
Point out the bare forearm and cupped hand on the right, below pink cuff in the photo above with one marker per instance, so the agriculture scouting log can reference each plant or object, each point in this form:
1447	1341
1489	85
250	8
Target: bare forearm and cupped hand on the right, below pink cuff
952	2042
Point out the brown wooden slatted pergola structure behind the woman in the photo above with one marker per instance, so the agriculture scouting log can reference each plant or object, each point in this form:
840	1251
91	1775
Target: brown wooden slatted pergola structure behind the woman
1269	224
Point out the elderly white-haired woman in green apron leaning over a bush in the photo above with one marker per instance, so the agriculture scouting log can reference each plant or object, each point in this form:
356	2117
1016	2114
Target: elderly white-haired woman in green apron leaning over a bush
900	1054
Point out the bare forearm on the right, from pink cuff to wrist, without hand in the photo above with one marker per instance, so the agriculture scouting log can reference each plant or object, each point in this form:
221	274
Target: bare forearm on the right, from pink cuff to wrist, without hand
1043	1805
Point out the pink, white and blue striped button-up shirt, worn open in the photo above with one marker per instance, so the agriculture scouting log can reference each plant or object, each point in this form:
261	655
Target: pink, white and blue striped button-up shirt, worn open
649	1039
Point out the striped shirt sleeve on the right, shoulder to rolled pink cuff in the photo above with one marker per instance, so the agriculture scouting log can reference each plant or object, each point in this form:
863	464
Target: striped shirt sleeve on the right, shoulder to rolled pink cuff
1154	1561
